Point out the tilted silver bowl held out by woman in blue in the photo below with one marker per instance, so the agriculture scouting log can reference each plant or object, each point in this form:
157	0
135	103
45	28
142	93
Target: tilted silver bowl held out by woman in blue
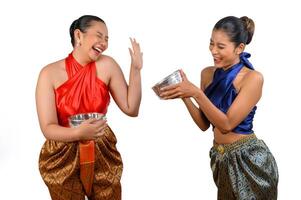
171	79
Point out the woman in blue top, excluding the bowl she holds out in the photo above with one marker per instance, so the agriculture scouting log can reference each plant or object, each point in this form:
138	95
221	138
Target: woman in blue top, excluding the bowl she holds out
243	167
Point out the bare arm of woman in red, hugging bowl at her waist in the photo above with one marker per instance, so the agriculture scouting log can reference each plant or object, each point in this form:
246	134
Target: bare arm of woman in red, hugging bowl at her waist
46	108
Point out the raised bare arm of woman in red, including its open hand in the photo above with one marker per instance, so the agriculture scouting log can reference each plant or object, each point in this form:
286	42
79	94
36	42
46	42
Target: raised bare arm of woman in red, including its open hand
128	97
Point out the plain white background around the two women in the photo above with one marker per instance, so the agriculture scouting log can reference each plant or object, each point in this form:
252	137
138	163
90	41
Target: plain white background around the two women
165	155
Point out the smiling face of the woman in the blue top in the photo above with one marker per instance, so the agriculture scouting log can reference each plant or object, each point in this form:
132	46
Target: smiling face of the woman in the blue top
224	52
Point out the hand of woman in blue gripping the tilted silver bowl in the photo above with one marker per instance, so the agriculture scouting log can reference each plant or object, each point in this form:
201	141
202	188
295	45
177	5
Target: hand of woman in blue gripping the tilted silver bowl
184	89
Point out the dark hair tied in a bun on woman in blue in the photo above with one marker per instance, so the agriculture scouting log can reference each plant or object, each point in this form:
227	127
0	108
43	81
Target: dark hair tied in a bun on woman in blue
239	30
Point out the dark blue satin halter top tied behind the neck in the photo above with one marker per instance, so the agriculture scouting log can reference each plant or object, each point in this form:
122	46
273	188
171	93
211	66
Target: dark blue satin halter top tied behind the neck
222	93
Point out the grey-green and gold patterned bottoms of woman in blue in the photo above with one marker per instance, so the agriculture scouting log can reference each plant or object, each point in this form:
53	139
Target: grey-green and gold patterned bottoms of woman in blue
245	169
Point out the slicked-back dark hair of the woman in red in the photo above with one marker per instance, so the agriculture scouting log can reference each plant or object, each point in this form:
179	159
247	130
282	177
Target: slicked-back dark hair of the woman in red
82	23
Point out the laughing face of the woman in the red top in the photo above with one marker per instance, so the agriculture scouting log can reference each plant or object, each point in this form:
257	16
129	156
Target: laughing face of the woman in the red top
93	42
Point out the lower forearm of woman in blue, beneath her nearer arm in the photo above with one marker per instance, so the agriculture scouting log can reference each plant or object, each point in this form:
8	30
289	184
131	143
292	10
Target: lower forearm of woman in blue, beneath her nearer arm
196	114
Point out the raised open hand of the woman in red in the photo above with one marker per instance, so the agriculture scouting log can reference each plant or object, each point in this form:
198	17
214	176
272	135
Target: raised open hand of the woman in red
136	55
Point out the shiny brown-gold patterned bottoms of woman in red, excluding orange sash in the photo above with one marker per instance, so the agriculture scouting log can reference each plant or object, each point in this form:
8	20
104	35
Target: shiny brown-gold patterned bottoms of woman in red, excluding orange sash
59	166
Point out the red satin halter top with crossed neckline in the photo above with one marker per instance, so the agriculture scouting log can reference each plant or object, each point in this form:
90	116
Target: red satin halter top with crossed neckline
83	92
